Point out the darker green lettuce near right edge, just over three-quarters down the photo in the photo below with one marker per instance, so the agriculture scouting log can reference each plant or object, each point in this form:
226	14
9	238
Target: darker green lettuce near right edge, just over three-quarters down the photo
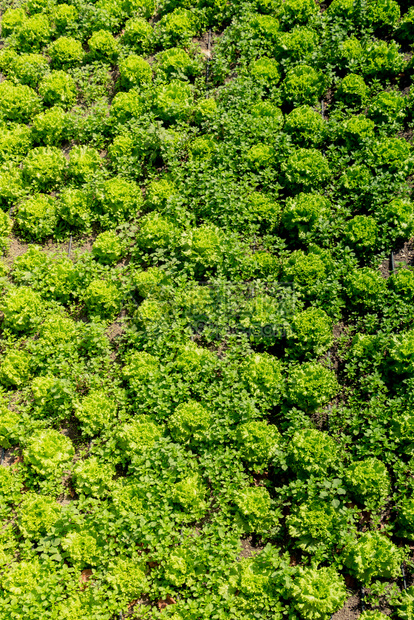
368	481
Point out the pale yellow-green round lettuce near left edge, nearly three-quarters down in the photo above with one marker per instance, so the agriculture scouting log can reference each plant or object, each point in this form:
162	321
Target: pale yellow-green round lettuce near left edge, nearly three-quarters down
48	452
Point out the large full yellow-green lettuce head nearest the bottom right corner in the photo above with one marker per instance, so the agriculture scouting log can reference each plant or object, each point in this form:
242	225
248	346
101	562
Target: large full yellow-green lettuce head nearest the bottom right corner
373	555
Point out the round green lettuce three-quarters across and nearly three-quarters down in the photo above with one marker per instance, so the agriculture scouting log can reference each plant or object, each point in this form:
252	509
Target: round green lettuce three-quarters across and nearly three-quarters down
312	452
